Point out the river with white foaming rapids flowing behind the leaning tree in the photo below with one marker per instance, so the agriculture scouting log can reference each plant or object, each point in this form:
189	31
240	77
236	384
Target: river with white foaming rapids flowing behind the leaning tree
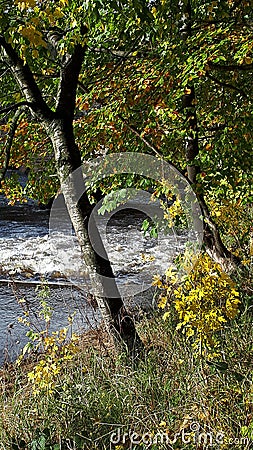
29	254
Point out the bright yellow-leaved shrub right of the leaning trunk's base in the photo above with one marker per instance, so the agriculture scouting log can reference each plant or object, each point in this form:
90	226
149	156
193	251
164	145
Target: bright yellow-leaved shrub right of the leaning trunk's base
204	299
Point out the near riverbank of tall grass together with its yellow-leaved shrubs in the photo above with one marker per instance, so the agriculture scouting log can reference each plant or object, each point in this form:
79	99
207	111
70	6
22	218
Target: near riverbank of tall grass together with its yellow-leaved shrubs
77	392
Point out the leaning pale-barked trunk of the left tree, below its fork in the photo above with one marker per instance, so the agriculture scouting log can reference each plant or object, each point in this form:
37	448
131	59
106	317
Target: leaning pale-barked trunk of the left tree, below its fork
67	156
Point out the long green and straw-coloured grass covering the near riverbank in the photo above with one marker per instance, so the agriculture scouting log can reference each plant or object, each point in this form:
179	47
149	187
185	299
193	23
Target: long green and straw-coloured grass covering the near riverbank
170	392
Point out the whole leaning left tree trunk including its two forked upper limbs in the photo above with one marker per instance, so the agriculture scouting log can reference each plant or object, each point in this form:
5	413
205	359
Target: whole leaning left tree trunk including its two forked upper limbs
59	127
